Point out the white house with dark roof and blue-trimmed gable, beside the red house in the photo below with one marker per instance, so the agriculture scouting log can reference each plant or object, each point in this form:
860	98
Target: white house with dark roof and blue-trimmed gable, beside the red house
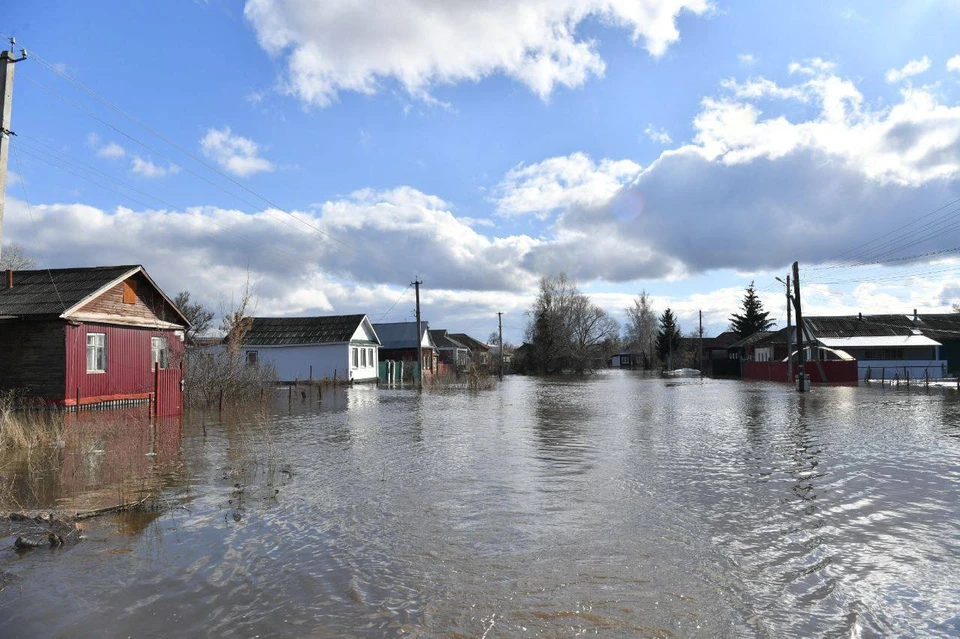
331	347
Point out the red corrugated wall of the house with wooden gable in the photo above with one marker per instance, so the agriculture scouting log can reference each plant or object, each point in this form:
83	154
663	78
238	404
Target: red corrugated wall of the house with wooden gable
129	367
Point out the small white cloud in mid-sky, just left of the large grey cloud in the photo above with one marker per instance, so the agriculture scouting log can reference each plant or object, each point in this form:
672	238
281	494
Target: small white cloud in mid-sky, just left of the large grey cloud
562	182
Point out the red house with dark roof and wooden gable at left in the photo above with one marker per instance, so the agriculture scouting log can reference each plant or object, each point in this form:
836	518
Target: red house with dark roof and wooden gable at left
91	336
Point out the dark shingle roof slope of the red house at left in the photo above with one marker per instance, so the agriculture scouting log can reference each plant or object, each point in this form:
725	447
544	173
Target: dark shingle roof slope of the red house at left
51	292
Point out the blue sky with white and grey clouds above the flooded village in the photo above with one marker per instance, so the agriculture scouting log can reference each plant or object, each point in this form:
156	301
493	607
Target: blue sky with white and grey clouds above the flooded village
335	151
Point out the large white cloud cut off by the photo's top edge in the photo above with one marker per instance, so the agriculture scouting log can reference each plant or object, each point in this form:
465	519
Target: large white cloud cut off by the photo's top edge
357	46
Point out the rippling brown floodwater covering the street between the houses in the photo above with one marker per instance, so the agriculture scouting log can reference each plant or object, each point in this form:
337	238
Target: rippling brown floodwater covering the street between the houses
617	505
